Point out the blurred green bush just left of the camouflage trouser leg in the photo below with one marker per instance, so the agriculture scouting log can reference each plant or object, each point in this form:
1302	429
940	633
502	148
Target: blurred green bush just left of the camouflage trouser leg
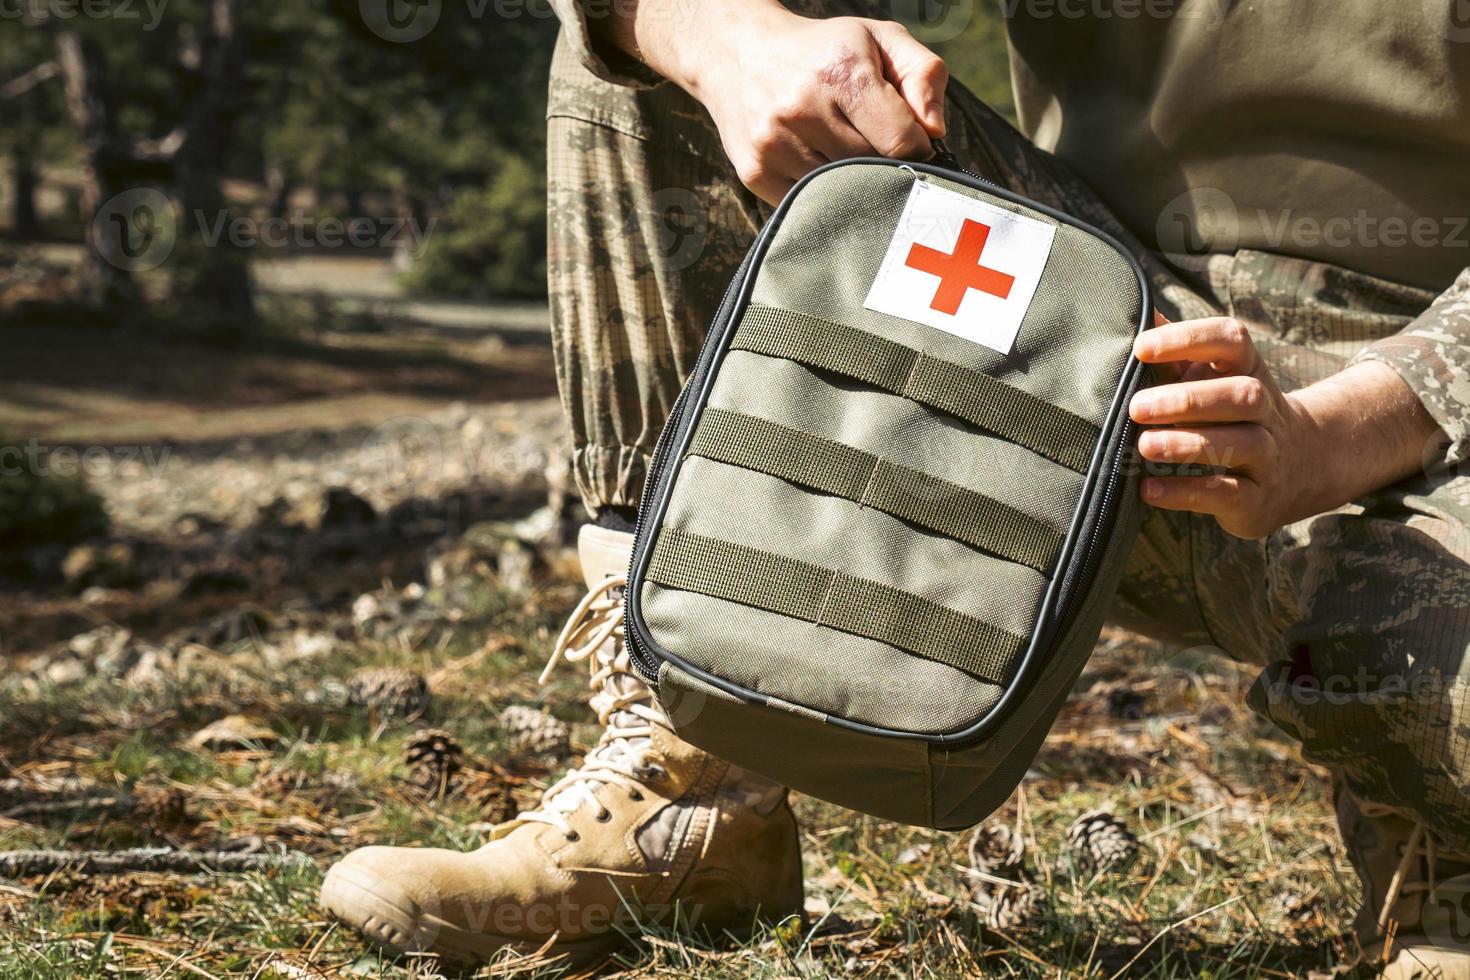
492	242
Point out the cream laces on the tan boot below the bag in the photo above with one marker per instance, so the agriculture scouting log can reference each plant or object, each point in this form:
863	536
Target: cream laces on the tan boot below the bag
624	707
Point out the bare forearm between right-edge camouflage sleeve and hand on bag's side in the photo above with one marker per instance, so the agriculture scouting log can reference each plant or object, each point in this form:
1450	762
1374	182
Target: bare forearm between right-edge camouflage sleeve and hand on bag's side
1369	430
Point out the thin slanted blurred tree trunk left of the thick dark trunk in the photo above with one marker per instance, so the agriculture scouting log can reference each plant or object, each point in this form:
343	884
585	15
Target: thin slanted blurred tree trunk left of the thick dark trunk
105	280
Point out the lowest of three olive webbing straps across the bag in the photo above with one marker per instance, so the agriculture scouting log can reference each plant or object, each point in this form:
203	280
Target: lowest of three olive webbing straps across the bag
803	591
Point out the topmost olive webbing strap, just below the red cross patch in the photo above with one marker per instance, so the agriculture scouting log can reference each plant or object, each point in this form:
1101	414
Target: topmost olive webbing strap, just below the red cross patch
964	393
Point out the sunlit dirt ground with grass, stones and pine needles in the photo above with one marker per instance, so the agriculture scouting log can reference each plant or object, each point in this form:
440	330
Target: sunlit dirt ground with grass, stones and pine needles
327	543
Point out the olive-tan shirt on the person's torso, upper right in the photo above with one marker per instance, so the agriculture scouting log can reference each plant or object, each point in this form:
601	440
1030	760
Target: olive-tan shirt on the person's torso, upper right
1330	130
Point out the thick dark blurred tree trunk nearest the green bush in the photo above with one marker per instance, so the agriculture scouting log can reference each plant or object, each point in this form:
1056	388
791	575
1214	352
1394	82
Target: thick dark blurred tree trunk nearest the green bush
220	281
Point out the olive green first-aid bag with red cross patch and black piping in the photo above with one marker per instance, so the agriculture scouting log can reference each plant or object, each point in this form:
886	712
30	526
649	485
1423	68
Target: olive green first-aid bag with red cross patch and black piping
875	550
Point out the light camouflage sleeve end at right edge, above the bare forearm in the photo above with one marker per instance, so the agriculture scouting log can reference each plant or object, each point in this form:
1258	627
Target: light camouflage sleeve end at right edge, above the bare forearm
1434	356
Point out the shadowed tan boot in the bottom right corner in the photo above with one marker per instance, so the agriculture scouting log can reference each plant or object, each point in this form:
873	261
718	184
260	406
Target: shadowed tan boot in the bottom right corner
1415	922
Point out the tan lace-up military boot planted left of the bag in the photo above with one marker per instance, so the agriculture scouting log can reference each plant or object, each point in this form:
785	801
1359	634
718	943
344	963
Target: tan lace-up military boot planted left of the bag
648	831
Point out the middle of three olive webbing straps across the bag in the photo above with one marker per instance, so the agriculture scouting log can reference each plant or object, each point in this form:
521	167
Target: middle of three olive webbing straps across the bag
809	461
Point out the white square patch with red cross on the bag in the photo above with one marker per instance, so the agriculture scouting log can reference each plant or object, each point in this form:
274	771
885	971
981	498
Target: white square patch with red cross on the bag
962	267
